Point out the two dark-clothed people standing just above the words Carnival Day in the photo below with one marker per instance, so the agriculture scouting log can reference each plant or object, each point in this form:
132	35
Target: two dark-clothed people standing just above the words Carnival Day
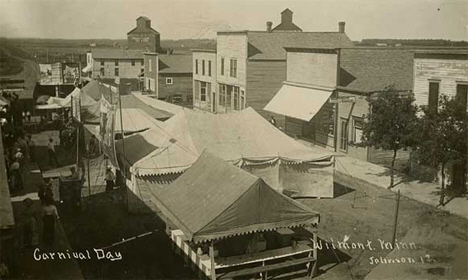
31	215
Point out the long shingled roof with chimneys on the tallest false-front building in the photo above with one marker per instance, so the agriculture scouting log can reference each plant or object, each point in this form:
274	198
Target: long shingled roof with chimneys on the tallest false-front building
270	45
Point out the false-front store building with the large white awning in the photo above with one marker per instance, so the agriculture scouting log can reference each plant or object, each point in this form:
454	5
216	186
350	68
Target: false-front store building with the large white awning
325	97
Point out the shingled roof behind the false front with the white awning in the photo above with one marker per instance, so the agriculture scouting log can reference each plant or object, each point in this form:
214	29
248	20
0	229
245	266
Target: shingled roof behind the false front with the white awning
371	69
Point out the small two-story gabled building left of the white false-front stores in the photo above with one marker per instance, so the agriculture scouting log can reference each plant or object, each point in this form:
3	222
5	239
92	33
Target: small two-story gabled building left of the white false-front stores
169	77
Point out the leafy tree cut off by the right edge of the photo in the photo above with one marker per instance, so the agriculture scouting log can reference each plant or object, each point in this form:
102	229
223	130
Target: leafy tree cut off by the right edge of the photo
442	137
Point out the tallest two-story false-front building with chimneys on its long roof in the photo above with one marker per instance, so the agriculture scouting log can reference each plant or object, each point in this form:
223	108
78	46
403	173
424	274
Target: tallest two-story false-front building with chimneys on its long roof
251	65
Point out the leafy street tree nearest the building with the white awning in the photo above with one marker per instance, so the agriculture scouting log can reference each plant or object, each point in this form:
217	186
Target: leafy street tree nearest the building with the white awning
391	123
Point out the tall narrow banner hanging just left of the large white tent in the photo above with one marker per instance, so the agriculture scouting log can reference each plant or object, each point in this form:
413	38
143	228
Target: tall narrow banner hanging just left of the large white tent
107	132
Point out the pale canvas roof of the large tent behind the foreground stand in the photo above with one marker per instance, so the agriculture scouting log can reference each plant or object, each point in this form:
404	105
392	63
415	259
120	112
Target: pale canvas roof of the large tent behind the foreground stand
240	136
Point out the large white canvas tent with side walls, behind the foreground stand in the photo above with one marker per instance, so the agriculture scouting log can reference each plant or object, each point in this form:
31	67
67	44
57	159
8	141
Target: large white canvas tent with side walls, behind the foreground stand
243	138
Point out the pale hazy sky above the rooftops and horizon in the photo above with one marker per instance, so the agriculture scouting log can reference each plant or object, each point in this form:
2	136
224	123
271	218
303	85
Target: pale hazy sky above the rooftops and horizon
177	19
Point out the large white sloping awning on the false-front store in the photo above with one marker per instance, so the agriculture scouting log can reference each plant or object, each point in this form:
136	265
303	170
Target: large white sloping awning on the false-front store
298	101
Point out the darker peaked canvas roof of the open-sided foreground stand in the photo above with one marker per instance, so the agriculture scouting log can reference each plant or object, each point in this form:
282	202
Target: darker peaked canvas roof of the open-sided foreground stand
214	199
